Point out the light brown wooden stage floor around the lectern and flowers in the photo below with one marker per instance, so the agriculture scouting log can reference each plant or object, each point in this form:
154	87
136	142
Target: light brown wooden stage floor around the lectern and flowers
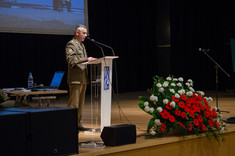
126	111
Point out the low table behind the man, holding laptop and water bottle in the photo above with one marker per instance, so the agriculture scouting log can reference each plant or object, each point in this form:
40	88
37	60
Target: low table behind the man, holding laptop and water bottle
38	95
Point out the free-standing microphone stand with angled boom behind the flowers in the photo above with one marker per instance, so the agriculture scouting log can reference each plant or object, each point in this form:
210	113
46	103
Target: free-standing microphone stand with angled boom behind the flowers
217	66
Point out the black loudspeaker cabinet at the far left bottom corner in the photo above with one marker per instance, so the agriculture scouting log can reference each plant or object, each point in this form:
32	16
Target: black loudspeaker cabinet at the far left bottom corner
13	137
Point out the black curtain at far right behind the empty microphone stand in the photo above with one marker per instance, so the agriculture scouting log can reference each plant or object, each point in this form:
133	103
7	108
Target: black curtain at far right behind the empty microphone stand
202	24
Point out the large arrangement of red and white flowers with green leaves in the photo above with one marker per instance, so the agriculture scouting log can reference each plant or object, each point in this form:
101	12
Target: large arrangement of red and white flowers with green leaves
174	103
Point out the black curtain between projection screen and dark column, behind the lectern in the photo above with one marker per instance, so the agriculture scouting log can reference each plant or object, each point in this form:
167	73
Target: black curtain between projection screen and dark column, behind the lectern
130	28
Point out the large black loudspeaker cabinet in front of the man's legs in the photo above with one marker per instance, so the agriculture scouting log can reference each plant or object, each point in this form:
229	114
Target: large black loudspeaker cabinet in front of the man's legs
51	131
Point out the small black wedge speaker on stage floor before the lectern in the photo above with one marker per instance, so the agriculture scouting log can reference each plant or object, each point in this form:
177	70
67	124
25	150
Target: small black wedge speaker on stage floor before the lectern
119	135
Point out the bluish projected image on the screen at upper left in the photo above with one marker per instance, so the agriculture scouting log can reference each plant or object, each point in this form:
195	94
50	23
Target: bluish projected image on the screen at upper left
41	16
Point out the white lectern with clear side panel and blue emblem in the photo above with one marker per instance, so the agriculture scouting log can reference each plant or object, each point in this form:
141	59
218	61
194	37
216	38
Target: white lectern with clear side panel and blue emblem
101	91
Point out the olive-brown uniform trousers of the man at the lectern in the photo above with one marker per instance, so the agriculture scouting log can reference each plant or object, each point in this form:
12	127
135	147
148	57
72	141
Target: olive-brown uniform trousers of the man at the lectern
77	99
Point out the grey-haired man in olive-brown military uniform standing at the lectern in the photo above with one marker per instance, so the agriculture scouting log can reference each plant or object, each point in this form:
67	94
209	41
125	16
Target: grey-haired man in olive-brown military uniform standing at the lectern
76	56
